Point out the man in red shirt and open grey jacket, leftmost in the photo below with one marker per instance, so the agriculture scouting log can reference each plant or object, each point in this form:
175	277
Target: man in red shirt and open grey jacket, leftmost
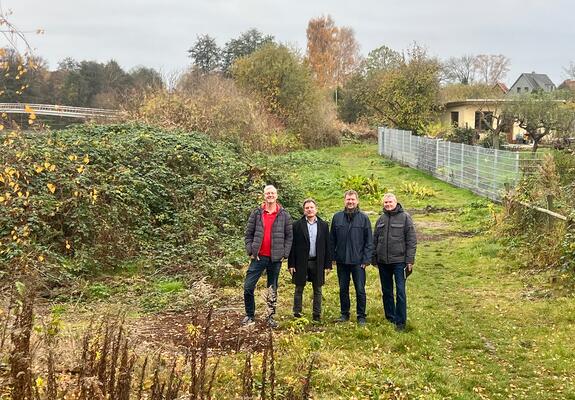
268	240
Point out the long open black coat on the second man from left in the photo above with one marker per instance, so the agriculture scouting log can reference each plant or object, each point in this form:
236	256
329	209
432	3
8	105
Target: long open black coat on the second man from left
299	254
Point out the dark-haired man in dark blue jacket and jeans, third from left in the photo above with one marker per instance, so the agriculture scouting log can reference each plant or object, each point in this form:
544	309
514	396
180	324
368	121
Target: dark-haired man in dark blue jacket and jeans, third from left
351	240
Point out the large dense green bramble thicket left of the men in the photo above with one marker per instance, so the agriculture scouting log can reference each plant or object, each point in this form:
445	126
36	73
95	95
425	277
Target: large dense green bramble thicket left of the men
98	198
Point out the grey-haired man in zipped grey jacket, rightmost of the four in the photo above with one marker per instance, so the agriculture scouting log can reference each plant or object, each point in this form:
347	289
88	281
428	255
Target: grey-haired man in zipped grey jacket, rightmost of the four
395	245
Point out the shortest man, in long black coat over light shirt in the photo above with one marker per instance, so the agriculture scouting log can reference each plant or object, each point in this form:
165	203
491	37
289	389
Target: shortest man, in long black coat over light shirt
309	257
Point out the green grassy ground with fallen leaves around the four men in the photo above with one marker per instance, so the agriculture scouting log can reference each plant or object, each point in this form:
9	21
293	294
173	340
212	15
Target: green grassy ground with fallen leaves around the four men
477	328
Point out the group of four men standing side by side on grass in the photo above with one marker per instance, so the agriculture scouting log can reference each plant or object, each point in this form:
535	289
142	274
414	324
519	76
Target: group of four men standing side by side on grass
310	248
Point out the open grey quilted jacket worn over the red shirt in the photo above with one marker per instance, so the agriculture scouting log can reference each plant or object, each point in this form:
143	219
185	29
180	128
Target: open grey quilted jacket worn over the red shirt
282	234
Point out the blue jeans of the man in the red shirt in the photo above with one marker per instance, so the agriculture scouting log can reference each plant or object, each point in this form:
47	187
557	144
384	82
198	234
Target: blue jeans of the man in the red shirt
255	271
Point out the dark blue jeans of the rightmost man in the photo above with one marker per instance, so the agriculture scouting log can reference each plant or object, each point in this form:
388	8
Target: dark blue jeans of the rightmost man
395	311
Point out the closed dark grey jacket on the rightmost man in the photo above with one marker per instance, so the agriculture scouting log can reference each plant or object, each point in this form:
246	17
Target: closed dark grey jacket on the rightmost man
394	238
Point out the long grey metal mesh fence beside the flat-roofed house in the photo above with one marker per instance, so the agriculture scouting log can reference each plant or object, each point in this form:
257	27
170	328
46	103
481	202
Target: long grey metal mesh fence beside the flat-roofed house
486	172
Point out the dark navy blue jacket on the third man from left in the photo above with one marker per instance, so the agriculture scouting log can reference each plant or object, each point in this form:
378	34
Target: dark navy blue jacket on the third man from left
352	241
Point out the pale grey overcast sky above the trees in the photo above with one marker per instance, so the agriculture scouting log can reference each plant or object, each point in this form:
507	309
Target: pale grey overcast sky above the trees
537	35
